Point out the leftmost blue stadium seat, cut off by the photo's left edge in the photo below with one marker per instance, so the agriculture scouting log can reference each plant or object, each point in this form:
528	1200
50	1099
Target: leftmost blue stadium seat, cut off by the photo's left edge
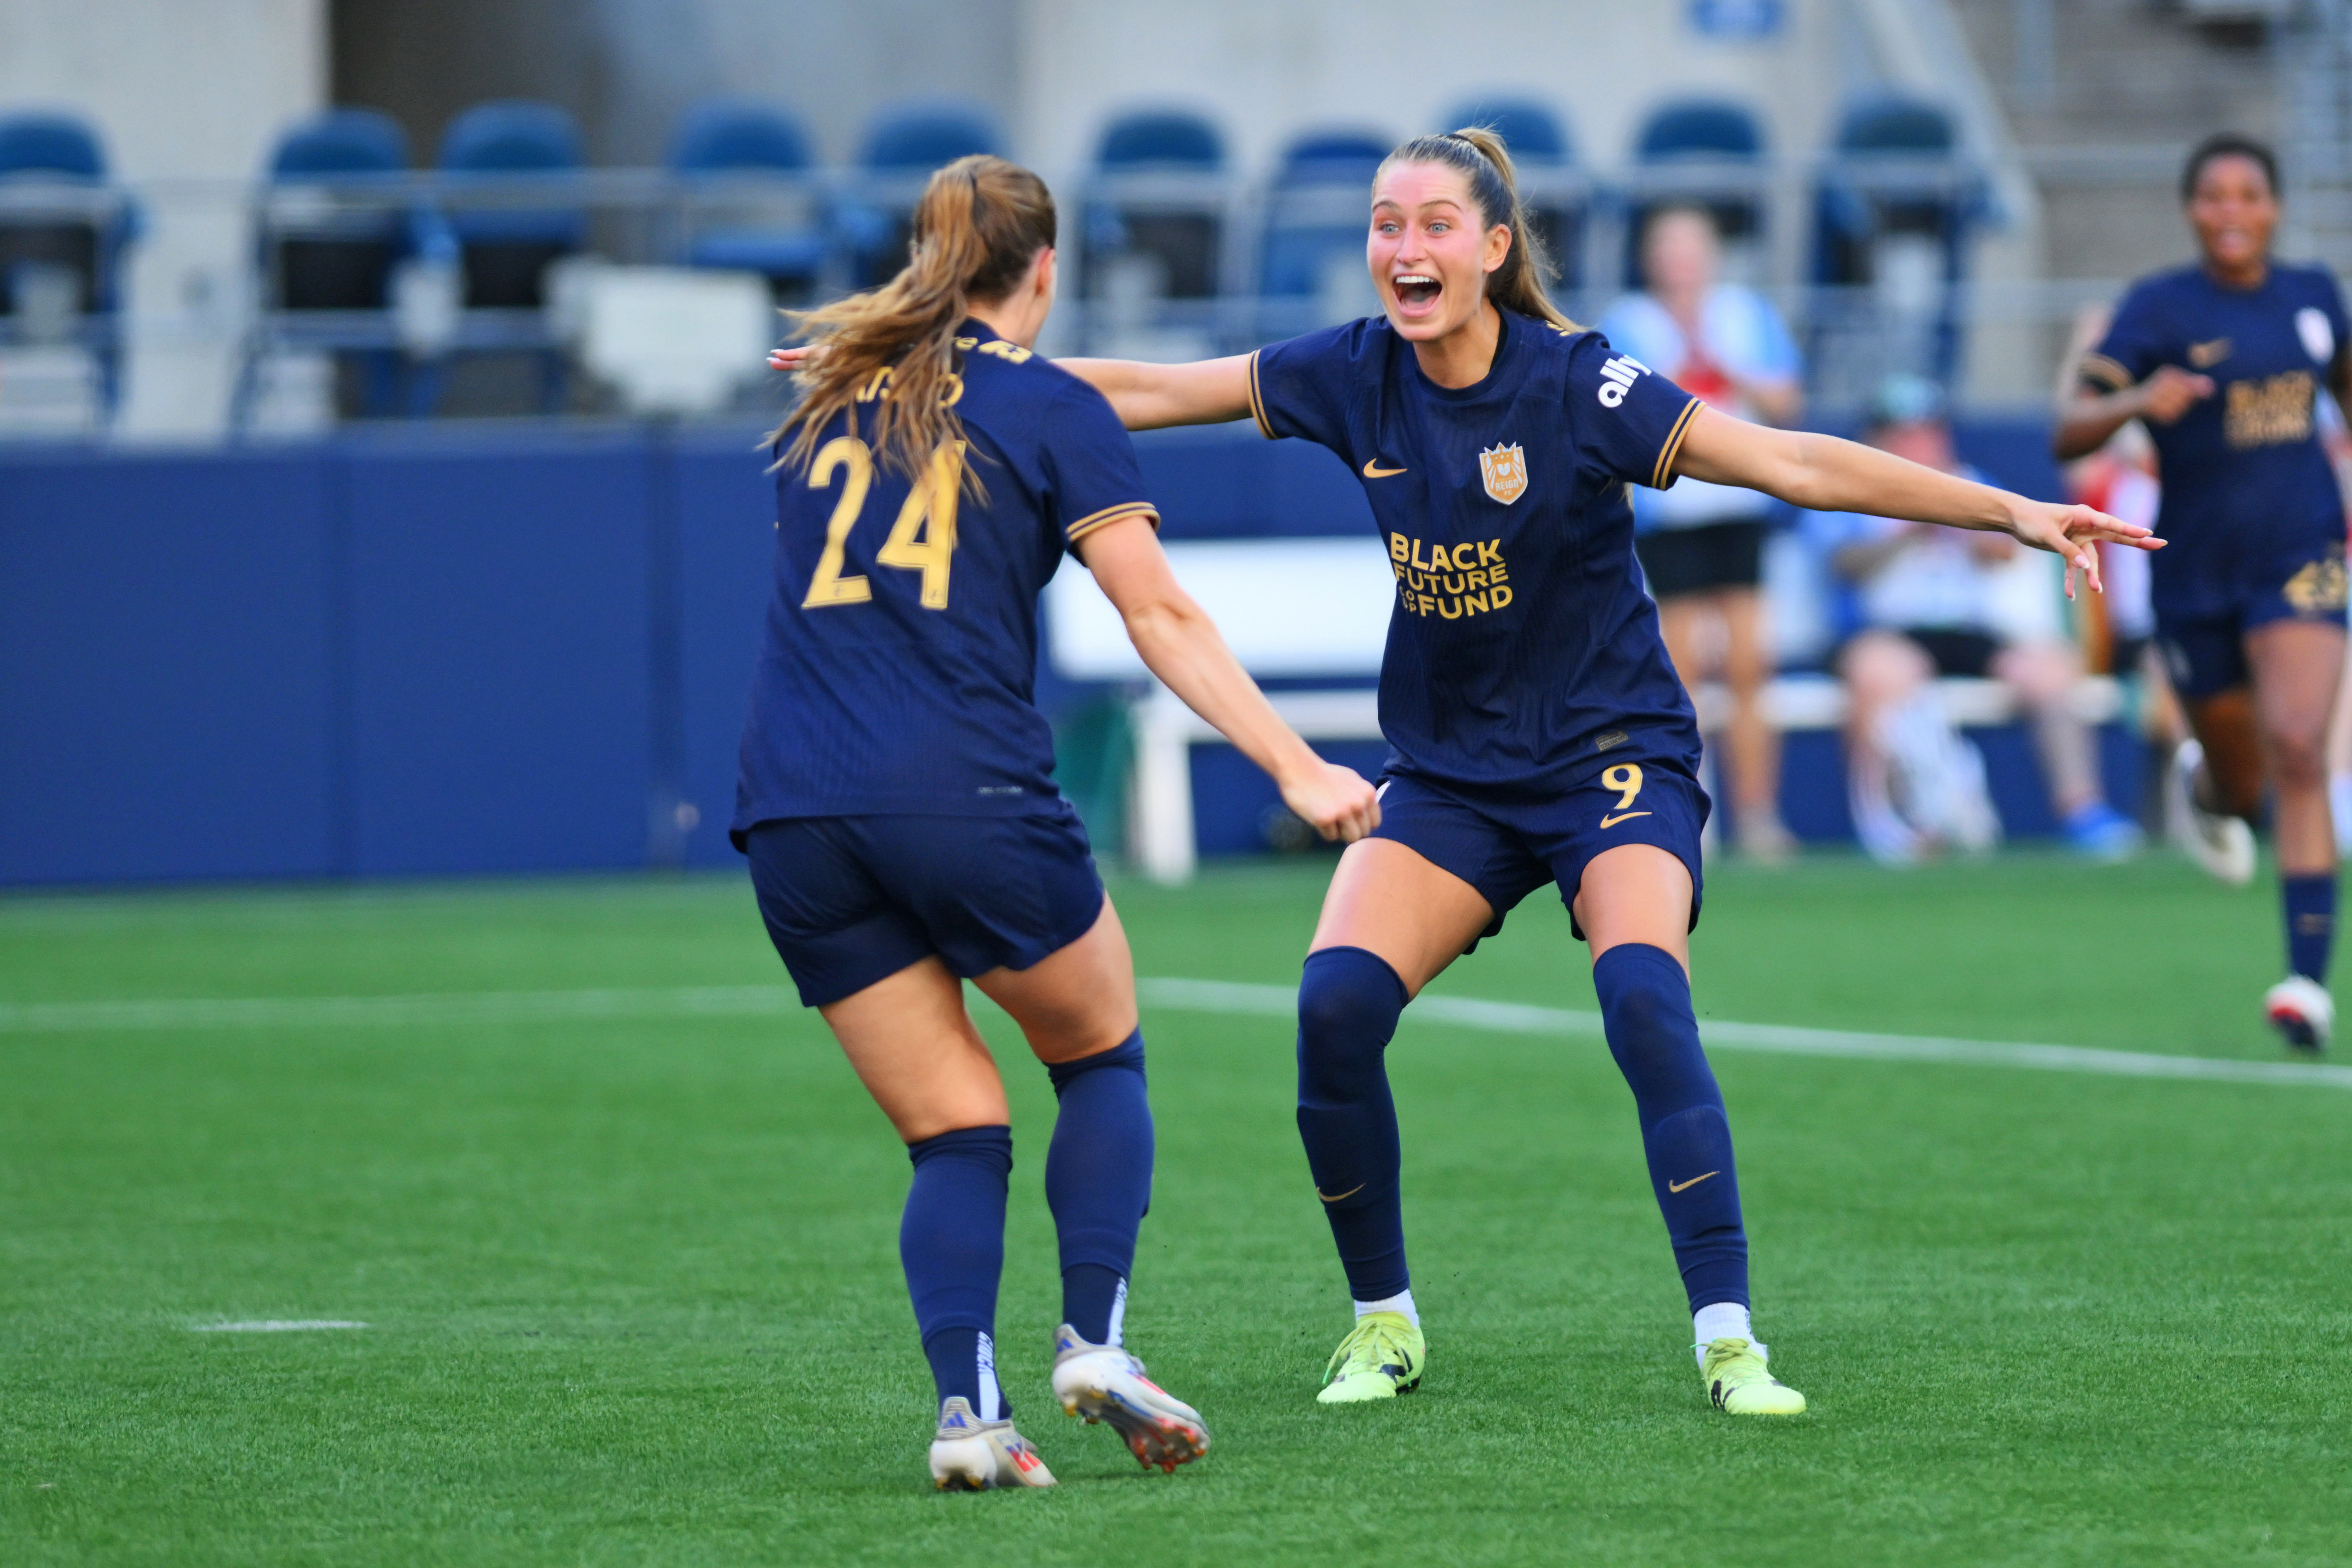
62	222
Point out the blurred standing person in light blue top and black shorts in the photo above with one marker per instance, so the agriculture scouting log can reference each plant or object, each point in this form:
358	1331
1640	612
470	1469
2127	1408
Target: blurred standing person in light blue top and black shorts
1704	544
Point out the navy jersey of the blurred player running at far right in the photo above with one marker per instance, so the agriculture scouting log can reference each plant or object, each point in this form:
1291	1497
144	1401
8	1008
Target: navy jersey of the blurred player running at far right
2250	495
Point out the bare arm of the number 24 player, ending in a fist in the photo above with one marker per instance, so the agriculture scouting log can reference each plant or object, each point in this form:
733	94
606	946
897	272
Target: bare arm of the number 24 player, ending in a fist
1184	650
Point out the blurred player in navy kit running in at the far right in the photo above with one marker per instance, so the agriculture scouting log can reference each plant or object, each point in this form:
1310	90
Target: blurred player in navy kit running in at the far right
2224	363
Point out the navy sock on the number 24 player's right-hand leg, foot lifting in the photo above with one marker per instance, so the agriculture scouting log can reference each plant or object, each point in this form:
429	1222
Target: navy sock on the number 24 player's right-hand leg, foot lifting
1100	1184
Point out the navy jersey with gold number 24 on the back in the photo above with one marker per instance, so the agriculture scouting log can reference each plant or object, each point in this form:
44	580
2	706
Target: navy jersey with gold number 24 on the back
902	641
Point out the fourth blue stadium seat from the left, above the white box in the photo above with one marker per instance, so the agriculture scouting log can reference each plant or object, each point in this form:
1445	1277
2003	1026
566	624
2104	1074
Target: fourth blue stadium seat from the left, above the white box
749	201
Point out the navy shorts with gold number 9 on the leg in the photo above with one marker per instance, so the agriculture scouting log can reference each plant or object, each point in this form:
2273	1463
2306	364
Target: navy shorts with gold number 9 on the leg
1509	847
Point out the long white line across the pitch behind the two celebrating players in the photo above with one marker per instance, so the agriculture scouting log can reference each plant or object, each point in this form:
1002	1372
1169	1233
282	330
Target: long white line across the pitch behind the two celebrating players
1177	996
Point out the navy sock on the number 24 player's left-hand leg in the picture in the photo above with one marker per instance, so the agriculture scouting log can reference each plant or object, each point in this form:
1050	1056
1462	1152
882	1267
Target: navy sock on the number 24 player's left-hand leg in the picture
951	1245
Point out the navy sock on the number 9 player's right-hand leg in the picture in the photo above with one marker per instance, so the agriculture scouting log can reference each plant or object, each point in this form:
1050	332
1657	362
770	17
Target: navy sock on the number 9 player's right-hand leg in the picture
1655	1038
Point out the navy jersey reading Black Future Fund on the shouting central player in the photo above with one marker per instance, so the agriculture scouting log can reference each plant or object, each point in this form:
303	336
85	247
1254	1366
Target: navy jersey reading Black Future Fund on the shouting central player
1521	652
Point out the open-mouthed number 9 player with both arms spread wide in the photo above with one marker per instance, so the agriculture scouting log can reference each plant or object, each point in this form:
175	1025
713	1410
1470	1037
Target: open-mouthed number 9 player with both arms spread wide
1537	728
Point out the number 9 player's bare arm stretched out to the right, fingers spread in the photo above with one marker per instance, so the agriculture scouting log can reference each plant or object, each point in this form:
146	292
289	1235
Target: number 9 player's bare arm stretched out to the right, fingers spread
1831	476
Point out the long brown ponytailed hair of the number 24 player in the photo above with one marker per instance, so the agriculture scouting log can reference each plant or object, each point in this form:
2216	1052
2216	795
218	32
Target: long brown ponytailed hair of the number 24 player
977	232
